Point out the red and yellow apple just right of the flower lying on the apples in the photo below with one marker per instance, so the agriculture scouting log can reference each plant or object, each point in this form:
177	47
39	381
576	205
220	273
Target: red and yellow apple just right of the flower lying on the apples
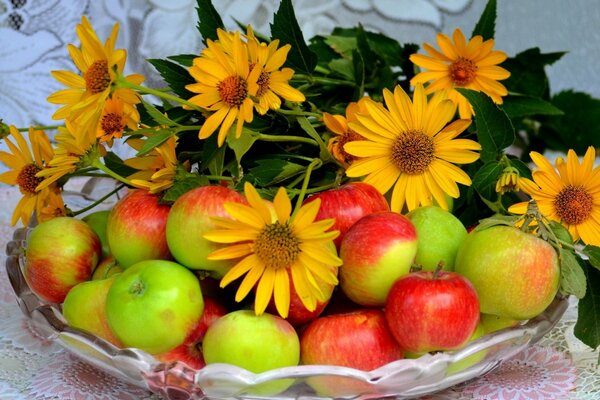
378	249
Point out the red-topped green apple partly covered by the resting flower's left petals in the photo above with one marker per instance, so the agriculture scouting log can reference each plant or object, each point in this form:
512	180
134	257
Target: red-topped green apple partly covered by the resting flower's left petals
188	221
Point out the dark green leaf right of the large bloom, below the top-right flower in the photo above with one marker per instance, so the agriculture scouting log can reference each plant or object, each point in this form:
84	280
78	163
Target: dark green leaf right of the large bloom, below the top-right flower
494	129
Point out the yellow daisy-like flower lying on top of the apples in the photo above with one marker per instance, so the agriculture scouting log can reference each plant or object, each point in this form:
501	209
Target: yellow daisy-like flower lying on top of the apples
271	245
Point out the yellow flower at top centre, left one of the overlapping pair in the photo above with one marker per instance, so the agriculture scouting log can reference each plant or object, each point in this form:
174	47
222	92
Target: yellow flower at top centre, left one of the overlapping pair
225	85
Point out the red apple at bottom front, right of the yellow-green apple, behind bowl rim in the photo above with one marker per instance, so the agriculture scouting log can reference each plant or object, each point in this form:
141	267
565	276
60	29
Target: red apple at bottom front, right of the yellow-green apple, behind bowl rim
359	339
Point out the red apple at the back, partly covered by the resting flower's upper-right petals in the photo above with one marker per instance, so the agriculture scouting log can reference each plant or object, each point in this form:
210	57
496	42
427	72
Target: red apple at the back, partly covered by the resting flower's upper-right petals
347	204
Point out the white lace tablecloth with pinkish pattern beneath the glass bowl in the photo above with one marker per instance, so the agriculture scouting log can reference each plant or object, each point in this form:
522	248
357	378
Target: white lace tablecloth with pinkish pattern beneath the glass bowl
559	367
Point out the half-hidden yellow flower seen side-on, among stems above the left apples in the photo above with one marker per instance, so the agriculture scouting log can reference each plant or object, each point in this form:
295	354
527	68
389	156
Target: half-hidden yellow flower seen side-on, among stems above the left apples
157	169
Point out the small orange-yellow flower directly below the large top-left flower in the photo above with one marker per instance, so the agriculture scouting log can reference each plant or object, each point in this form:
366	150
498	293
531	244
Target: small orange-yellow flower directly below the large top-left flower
116	115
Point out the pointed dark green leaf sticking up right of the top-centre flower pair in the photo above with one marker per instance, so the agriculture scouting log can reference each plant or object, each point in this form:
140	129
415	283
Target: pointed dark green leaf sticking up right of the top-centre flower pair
285	28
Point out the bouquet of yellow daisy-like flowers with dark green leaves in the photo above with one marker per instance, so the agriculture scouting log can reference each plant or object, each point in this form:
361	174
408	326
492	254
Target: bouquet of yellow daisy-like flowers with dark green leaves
280	120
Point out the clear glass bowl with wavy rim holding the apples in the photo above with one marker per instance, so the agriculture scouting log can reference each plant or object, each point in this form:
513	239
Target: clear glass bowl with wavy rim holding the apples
408	378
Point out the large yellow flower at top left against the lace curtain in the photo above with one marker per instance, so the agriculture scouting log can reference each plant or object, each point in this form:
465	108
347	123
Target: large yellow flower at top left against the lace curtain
98	64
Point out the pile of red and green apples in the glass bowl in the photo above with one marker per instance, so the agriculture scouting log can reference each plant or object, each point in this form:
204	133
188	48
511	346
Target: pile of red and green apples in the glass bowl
138	276
